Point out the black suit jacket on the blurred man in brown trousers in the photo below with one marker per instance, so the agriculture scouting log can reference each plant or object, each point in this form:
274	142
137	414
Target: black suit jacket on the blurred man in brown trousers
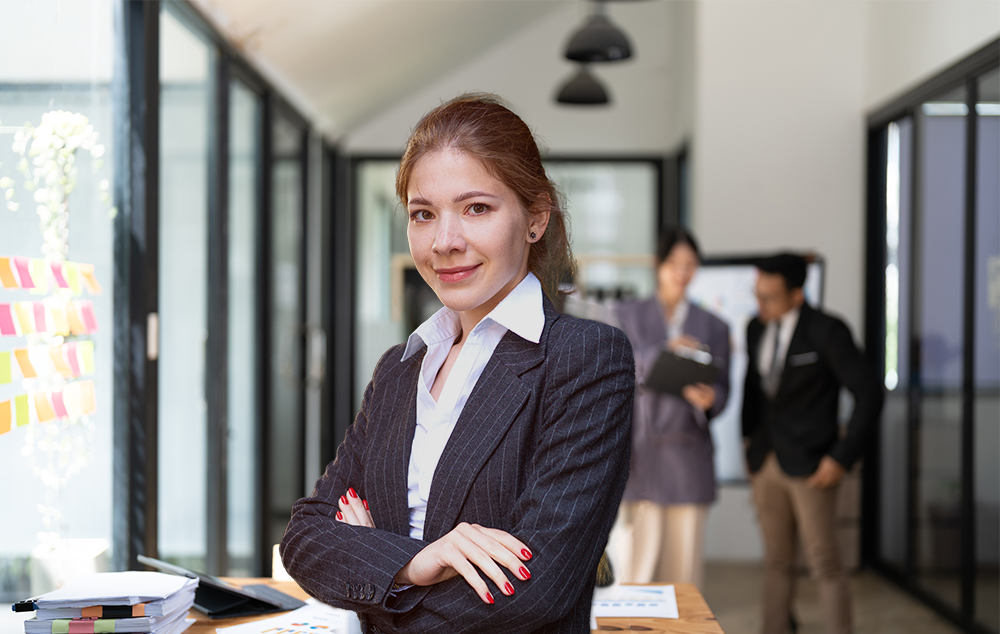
800	423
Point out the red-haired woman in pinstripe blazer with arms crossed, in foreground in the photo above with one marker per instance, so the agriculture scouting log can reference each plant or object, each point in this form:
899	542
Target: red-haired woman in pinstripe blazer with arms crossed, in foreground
491	450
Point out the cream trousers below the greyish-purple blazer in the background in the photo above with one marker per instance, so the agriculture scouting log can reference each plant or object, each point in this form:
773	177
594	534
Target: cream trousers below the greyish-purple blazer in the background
668	542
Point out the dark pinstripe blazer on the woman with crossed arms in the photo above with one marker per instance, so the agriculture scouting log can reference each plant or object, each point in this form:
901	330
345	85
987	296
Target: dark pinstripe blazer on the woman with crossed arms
541	450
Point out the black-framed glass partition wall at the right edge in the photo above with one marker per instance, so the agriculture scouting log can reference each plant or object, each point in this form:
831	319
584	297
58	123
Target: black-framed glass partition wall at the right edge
934	265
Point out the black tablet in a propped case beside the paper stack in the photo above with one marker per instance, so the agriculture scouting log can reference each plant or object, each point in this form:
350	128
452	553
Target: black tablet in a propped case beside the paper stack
219	599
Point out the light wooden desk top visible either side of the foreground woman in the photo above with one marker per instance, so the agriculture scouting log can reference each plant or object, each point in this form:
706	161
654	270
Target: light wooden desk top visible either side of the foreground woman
695	615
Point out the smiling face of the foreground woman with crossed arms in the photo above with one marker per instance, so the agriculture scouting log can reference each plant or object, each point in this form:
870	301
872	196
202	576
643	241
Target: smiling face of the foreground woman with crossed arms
468	233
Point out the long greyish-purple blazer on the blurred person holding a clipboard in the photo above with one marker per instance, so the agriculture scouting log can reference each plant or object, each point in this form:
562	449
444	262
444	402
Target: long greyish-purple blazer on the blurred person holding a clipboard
672	451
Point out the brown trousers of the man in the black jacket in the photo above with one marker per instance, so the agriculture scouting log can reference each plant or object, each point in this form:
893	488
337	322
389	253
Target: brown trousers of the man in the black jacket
787	508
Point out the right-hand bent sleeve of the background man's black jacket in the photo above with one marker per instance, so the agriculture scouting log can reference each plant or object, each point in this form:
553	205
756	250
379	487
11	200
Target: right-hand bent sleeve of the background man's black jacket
855	373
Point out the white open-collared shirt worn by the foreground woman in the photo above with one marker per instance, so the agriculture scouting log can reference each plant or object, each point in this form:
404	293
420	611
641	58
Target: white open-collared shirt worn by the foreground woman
520	312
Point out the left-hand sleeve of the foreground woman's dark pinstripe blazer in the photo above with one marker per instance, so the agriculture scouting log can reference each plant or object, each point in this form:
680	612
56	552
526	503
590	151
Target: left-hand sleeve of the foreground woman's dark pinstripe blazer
349	567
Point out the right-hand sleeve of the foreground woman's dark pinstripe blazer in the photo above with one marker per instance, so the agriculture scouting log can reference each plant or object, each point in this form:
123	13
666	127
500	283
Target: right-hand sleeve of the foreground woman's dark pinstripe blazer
575	484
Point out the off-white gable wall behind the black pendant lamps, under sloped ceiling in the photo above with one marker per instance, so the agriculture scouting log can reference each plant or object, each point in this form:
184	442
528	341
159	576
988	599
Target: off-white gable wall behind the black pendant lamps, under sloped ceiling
651	112
